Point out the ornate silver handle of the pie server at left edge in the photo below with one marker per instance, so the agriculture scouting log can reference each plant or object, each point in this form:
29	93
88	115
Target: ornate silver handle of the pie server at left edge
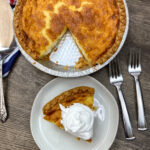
3	112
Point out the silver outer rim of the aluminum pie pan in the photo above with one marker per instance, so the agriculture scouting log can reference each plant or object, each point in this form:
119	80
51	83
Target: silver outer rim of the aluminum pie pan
83	72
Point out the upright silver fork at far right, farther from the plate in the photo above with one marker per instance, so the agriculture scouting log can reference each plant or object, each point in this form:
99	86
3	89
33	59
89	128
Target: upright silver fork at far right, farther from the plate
134	69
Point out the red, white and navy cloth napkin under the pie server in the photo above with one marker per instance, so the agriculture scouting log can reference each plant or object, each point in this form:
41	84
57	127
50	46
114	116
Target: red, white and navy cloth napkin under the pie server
10	59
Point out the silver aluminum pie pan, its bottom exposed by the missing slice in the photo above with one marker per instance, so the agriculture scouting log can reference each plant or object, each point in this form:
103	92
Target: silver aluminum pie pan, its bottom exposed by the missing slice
67	54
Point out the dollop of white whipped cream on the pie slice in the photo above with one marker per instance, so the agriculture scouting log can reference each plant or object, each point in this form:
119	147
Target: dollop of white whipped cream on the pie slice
78	120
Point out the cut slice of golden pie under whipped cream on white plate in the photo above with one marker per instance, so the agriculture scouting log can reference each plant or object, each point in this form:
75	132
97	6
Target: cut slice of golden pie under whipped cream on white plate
83	95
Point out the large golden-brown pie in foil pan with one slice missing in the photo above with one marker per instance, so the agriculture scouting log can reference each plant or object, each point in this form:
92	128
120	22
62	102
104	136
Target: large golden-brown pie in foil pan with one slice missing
97	26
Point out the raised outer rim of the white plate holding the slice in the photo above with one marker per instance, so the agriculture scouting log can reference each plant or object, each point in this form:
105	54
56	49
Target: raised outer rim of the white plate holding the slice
97	82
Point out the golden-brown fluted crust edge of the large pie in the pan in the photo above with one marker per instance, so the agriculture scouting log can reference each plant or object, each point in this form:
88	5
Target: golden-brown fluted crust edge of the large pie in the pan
101	59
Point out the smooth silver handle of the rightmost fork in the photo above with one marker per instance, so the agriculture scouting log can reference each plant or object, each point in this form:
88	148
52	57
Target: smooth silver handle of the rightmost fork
141	116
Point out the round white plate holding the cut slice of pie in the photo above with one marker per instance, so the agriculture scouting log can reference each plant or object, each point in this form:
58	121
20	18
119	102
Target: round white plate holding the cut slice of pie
49	137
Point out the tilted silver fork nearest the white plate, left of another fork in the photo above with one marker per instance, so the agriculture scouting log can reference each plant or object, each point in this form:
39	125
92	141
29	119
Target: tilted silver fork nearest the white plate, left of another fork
116	79
